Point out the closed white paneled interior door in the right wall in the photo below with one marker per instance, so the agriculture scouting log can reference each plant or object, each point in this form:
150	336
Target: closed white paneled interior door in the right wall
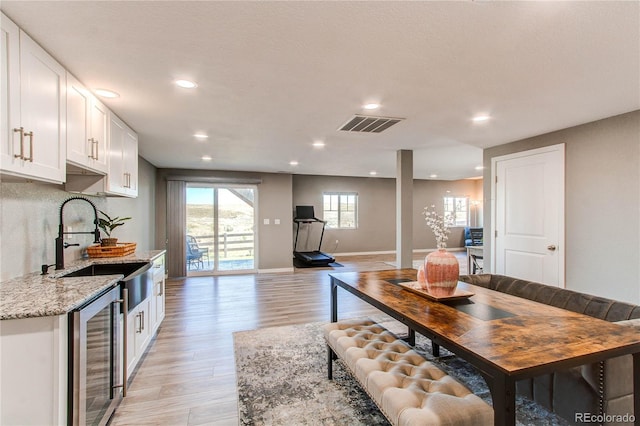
529	215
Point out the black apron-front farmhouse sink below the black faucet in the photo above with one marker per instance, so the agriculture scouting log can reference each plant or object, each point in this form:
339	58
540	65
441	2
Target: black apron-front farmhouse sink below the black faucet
138	278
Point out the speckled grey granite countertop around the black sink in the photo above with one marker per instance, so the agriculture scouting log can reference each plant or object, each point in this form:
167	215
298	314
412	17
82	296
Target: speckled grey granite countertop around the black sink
35	295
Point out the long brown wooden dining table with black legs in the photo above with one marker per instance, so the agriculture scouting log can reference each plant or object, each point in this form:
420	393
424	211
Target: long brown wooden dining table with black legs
507	338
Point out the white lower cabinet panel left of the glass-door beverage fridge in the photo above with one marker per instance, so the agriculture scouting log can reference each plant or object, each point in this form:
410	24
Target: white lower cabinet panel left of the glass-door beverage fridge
33	360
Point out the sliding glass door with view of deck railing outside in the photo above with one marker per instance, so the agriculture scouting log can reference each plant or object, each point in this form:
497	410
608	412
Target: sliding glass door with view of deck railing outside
220	228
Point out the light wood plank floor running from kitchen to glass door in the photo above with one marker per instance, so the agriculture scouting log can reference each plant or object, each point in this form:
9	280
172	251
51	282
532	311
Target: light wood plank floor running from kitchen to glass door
187	376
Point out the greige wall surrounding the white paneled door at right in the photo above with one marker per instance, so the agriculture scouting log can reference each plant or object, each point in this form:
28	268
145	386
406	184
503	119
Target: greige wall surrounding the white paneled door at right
602	203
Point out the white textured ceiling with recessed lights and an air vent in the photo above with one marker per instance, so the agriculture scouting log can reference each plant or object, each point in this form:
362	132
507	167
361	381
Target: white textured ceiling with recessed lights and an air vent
273	77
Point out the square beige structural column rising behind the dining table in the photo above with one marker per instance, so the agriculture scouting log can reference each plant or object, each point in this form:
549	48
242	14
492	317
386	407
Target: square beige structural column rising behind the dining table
404	209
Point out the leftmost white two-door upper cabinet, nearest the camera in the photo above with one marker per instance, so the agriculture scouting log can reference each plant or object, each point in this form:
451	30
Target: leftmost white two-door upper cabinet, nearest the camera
33	144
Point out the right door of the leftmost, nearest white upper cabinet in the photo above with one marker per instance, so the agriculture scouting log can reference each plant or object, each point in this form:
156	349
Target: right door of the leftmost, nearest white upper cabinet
42	113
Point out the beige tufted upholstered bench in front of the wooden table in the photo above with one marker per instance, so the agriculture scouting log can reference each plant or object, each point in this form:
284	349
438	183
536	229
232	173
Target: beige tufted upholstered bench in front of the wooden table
408	389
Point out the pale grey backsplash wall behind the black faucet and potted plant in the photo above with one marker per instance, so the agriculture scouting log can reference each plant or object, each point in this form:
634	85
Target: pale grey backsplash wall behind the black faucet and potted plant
30	213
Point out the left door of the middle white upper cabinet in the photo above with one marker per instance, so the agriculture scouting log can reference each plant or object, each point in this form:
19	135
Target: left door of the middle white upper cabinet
79	149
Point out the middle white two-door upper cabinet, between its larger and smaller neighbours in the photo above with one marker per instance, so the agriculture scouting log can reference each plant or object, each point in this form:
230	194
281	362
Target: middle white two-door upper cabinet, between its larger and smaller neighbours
87	130
